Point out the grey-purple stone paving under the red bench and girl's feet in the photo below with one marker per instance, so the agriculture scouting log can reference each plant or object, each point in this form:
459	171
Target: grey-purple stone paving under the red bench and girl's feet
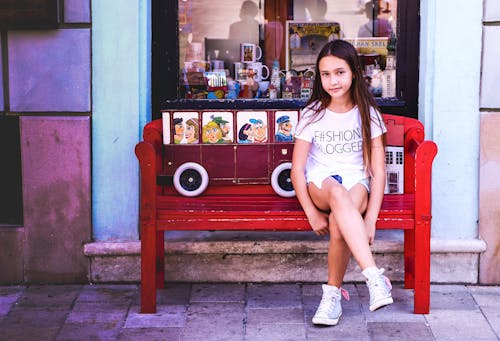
251	312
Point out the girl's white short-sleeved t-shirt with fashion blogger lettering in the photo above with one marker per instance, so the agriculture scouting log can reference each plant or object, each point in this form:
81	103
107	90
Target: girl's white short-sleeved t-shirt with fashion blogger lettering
337	144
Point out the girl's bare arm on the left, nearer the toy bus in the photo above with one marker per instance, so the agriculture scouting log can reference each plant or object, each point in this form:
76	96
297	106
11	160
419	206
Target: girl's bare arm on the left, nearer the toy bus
317	219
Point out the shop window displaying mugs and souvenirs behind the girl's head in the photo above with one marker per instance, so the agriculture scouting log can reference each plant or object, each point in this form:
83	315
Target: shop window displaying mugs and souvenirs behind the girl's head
263	50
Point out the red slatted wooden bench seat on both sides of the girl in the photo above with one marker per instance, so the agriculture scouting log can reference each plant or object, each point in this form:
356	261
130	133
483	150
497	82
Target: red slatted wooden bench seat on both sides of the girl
261	212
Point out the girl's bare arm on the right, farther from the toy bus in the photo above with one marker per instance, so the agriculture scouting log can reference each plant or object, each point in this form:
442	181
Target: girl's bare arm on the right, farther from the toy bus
377	186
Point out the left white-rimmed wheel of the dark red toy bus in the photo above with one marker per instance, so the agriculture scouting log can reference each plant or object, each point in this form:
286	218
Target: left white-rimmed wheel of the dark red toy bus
190	179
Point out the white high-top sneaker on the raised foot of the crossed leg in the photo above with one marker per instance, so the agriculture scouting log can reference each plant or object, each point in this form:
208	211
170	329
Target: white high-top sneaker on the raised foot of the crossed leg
379	287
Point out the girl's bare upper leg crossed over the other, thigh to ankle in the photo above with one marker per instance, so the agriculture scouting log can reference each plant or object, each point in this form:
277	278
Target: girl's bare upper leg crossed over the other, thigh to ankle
345	209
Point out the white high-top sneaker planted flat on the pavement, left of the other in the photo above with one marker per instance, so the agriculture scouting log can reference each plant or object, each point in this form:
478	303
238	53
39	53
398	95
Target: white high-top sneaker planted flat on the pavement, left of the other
330	309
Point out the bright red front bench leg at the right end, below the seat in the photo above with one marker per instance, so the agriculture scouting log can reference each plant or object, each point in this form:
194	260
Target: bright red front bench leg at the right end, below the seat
422	289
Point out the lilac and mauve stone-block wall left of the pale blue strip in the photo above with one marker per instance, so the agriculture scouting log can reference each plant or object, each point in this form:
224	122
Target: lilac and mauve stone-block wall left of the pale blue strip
46	82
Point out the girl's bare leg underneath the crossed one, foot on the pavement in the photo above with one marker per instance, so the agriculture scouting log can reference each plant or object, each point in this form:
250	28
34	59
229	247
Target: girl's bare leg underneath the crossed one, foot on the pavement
338	251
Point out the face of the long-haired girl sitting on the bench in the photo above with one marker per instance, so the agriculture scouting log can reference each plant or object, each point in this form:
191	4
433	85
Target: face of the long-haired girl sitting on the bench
336	77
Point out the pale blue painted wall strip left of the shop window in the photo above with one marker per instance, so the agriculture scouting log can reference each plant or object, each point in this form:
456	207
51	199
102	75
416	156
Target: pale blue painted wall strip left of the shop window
120	107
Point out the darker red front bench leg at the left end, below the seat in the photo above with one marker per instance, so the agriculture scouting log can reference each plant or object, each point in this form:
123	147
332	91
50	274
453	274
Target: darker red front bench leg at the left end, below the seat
148	269
